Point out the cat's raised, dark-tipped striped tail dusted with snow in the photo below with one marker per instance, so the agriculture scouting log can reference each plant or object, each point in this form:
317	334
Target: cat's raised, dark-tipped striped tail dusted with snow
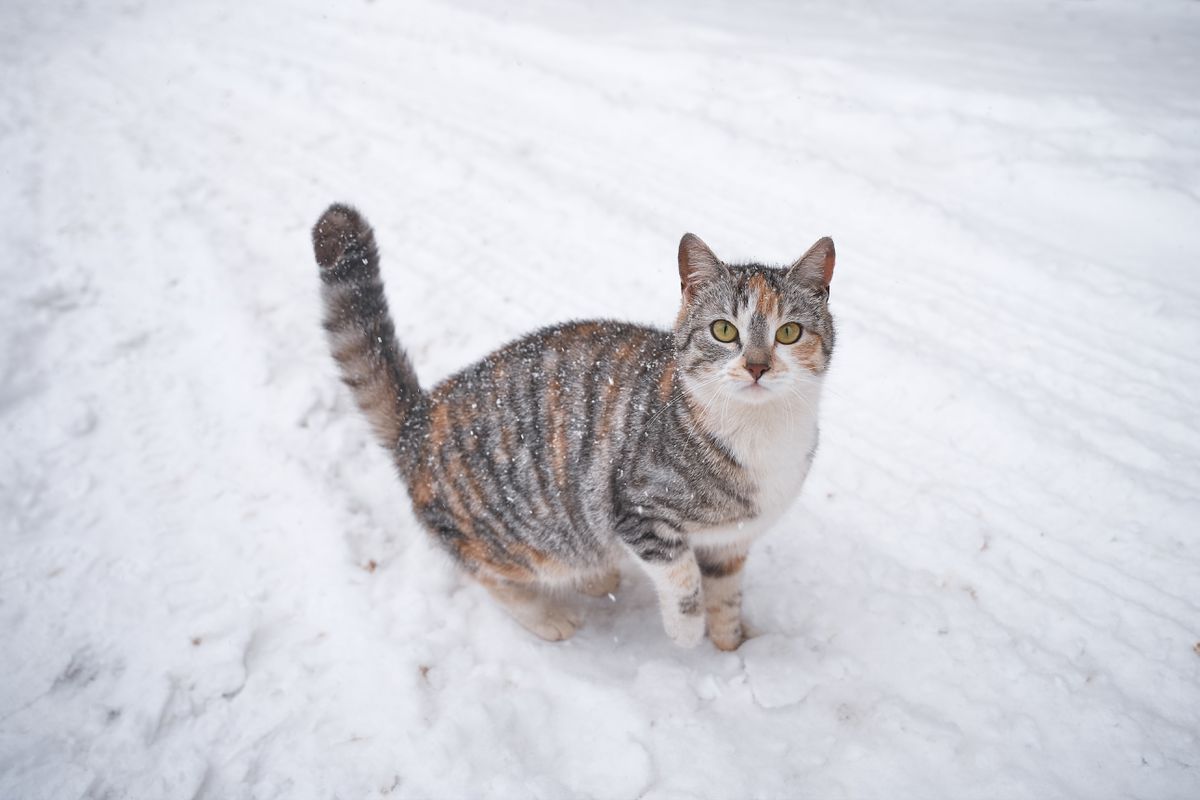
362	335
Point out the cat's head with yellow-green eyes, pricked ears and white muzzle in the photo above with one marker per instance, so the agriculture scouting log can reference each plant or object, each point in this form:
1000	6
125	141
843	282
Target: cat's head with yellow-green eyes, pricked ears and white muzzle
754	334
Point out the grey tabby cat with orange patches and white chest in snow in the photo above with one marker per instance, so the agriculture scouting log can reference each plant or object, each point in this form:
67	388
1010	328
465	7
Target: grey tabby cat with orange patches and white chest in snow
561	454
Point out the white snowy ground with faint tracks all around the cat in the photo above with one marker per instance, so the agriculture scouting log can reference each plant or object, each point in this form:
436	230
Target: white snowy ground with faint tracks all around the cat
211	584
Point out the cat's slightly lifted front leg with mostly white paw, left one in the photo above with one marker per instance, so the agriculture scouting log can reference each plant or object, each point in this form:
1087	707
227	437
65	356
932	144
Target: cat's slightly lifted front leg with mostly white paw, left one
665	556
